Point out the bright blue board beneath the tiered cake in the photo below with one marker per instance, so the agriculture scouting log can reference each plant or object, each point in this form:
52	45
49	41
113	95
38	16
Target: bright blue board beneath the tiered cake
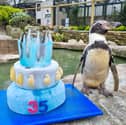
76	106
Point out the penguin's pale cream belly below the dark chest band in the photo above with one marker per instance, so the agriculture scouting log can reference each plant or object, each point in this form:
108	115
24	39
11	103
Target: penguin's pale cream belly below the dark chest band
96	67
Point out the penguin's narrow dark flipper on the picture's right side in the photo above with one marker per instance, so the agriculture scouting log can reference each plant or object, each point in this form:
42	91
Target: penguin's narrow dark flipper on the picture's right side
115	74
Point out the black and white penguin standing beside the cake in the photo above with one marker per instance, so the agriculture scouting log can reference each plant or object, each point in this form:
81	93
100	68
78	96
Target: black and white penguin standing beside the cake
97	59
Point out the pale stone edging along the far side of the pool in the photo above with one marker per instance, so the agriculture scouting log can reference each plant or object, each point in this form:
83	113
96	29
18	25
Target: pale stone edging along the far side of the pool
117	50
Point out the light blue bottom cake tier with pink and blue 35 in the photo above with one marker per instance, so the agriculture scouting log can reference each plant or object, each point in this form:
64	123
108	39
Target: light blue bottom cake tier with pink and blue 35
35	101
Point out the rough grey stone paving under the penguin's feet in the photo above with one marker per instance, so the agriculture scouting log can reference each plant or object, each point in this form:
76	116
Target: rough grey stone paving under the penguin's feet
114	108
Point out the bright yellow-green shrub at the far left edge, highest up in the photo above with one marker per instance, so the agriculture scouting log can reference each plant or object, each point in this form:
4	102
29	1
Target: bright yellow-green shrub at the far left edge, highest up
6	12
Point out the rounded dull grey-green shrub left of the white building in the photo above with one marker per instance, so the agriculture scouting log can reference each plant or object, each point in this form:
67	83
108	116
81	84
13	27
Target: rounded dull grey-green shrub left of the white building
21	19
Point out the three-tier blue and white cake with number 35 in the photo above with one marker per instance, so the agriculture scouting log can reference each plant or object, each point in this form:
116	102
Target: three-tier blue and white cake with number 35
36	79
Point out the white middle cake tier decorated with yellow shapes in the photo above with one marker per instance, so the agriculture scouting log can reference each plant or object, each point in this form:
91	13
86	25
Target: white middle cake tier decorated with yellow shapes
36	78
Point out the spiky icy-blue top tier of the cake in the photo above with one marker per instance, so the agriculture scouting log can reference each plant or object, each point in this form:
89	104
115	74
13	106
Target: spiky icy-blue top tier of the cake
35	48
